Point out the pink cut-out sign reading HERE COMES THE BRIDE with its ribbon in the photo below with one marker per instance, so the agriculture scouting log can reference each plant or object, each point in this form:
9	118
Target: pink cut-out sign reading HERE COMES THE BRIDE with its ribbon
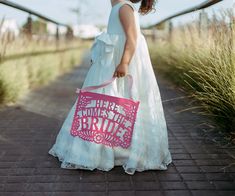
104	119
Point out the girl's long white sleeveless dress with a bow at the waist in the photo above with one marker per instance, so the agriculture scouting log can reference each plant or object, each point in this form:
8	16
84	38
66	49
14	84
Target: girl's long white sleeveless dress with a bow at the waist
149	144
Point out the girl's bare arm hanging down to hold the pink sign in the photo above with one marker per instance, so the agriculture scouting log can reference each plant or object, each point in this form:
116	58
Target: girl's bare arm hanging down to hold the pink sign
127	18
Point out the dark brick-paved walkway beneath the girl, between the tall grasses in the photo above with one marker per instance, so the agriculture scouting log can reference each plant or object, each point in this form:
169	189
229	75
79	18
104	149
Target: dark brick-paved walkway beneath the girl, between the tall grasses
28	130
